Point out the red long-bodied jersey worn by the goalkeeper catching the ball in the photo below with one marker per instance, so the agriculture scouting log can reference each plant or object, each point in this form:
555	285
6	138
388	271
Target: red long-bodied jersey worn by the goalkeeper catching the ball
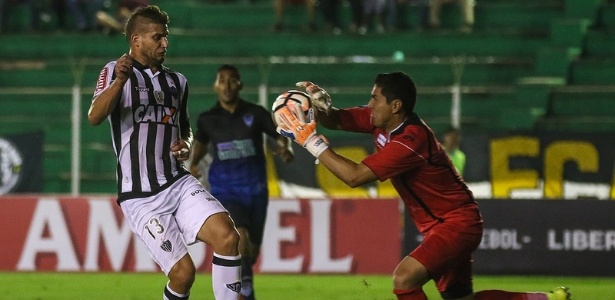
419	169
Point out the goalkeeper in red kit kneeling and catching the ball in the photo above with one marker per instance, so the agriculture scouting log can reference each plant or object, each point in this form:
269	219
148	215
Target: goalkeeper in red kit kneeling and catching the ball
408	153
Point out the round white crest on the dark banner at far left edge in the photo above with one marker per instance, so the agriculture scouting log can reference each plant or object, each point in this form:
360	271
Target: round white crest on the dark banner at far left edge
10	166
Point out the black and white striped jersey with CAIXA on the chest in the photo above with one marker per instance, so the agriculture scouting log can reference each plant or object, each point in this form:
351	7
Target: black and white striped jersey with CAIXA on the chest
147	120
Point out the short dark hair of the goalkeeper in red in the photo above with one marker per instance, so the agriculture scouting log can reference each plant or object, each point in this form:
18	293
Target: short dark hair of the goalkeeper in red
398	85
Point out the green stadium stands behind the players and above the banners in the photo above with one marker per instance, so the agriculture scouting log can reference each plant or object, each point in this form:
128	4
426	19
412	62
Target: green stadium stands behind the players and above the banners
528	65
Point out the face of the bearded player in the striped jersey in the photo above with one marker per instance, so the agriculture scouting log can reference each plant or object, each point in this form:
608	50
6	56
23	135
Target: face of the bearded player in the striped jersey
151	44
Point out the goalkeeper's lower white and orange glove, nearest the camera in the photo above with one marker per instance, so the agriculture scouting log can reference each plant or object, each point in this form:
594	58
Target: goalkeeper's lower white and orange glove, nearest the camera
302	133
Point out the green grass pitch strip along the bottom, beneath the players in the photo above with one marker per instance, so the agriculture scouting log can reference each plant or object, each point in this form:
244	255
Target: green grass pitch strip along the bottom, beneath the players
105	286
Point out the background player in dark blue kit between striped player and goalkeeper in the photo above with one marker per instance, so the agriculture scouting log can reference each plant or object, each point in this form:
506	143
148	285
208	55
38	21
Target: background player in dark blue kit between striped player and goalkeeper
233	129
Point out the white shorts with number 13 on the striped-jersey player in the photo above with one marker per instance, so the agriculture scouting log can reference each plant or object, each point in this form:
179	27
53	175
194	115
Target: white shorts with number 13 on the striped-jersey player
169	221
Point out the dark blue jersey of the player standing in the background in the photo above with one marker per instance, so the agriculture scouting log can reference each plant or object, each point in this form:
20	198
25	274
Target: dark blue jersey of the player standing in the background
235	141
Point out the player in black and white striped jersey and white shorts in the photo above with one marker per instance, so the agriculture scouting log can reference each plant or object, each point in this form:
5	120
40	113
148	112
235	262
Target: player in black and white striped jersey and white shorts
168	208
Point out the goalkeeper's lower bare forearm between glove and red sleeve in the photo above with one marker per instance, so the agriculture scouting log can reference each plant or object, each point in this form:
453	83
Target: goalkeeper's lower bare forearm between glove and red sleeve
351	173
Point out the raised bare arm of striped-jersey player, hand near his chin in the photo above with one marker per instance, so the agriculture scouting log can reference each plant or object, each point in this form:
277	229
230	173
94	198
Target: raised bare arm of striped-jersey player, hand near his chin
106	101
